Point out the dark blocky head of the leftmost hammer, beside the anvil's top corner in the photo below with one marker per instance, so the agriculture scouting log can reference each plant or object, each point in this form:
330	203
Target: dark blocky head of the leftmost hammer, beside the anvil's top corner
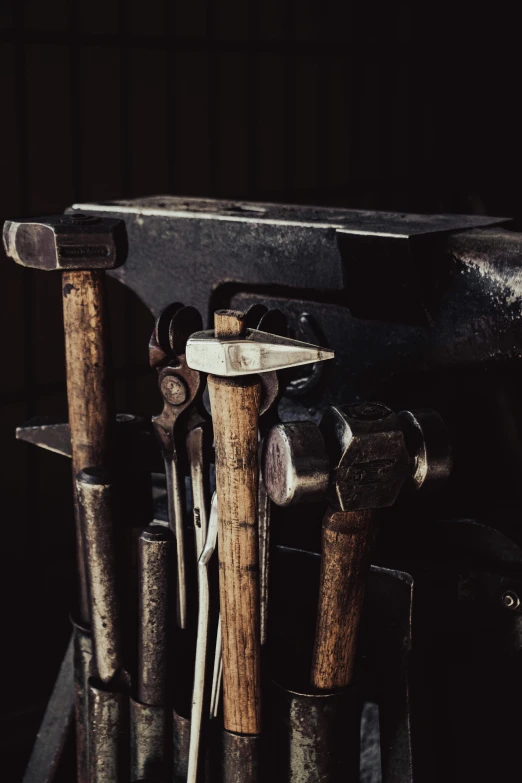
65	242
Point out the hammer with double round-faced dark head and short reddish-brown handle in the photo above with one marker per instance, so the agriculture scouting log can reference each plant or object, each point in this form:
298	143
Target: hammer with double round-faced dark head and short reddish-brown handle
360	457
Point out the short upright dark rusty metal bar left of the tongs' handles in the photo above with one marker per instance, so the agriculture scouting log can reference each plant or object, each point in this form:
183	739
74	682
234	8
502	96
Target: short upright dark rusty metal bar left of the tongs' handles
155	567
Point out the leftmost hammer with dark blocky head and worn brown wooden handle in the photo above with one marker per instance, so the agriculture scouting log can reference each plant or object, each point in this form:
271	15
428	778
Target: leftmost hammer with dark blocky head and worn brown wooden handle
82	247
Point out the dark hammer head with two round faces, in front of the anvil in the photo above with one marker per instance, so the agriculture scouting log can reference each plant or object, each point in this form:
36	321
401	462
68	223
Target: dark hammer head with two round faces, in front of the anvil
360	456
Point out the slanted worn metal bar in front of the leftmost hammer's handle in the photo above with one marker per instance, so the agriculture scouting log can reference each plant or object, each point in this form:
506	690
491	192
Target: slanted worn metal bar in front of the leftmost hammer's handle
95	498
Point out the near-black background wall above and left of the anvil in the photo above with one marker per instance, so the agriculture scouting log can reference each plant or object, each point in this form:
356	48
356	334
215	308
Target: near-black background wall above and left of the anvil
400	106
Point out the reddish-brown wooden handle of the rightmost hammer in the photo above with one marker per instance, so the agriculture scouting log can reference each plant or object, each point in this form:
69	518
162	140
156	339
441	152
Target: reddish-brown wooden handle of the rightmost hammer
346	543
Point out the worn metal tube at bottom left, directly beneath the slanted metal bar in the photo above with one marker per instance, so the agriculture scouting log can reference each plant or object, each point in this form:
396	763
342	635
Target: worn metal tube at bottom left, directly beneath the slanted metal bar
108	733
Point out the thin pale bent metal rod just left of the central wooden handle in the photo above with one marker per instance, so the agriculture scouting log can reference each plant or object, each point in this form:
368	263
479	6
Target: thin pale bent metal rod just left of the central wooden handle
200	669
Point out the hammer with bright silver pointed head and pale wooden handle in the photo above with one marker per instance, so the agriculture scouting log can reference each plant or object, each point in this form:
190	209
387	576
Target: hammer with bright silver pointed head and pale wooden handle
234	358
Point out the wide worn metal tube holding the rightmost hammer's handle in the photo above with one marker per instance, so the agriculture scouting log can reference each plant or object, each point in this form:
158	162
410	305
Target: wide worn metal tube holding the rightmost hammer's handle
315	737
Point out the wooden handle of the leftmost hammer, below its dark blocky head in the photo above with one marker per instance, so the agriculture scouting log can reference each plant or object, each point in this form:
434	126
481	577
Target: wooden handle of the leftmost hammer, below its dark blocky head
88	386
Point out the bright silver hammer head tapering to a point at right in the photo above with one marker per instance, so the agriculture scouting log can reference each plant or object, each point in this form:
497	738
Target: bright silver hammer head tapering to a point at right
252	353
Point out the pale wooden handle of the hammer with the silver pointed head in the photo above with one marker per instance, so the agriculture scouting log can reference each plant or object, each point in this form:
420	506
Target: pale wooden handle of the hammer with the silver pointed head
235	412
